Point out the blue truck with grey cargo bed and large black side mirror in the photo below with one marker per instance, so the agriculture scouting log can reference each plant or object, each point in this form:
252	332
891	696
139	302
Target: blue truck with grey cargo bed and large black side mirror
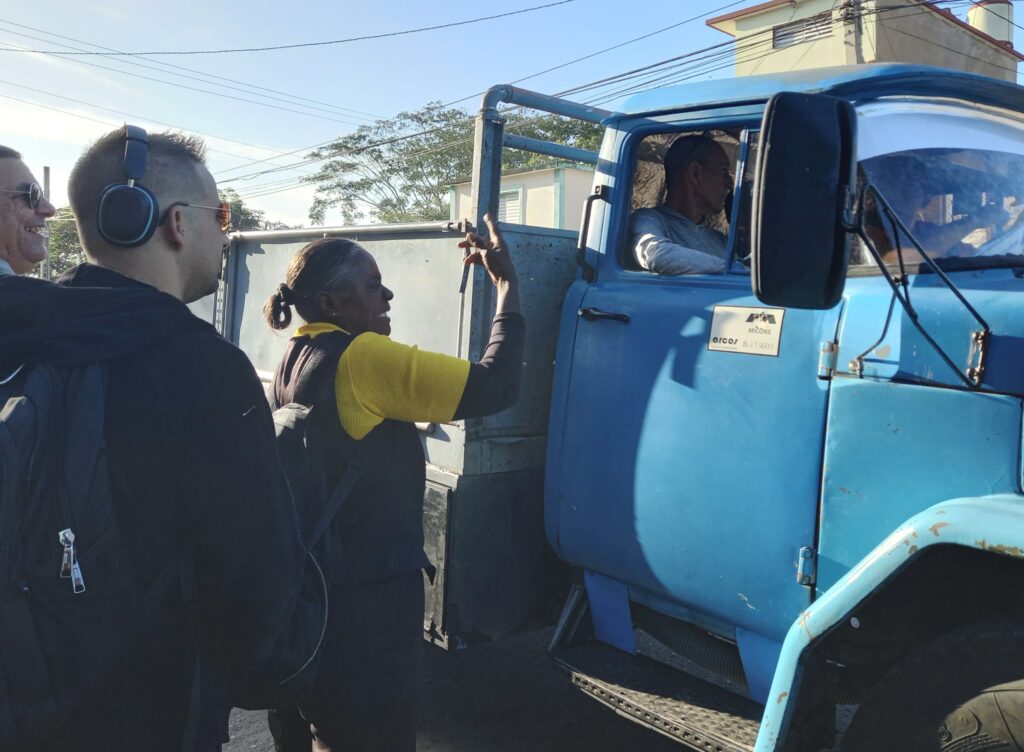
756	497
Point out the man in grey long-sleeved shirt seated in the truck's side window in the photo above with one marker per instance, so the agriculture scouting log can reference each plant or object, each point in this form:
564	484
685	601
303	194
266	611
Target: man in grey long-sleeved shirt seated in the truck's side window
673	238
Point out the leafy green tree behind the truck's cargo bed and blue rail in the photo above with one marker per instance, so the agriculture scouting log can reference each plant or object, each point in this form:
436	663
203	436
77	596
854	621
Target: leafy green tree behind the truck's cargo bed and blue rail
371	175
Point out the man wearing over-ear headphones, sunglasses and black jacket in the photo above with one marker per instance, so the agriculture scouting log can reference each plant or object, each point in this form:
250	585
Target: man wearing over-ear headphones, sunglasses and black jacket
193	465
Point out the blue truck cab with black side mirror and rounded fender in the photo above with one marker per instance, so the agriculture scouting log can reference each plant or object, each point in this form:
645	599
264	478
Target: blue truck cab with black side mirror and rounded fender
832	424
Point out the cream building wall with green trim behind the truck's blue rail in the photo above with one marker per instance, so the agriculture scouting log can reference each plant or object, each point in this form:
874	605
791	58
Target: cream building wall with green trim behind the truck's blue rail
550	198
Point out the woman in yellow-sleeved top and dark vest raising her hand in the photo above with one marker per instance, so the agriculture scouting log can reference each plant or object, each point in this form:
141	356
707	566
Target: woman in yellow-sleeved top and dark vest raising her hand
374	391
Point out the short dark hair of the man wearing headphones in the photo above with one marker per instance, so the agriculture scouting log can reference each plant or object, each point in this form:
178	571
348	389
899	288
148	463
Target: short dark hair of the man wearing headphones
170	175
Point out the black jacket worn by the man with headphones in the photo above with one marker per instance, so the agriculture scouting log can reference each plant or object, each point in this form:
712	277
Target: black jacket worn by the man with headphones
194	468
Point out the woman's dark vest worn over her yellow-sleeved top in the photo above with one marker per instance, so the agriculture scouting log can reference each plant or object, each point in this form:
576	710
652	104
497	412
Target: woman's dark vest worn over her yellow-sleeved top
379	532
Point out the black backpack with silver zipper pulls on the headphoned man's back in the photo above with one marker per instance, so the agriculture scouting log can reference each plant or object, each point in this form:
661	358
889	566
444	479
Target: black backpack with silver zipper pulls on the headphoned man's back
73	614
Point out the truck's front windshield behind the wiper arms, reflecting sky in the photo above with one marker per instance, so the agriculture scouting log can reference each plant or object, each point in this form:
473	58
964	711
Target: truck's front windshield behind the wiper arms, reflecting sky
960	190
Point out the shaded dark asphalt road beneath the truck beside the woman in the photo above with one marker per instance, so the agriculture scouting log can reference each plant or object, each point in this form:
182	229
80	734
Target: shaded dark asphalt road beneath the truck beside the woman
502	698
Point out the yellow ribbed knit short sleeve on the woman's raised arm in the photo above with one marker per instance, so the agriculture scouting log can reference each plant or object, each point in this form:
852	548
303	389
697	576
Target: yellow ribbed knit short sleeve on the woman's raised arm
379	380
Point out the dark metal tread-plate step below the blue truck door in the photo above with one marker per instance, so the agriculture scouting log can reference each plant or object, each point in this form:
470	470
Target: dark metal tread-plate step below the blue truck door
688	709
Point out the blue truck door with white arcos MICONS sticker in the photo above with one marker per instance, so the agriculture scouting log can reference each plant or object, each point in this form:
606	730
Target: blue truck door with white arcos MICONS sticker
691	441
